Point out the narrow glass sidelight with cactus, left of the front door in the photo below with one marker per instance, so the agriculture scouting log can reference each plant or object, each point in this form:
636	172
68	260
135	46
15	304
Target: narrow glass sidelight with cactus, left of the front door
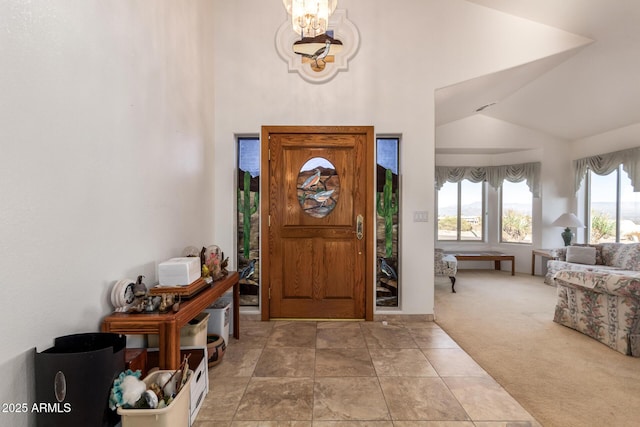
248	193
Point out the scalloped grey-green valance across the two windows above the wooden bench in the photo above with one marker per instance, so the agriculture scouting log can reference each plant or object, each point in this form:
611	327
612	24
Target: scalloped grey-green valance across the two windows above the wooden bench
494	175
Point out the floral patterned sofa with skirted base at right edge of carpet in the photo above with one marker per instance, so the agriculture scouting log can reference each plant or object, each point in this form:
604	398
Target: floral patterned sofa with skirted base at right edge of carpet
602	300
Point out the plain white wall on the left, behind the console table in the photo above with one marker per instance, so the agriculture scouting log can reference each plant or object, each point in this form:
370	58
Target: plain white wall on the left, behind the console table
105	117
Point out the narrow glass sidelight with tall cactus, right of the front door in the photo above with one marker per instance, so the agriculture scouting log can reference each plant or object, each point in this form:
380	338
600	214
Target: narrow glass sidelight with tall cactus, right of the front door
387	214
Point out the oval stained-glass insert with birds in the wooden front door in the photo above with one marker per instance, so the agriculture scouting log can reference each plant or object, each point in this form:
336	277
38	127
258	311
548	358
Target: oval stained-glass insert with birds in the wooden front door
318	187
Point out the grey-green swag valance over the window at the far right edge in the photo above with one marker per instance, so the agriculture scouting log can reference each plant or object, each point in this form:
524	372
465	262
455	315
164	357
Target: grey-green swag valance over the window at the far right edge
604	164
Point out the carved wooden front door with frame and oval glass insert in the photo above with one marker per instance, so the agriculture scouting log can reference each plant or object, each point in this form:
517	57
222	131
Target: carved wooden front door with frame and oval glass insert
317	222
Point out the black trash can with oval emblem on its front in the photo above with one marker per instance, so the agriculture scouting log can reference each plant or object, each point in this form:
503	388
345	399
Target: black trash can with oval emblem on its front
74	380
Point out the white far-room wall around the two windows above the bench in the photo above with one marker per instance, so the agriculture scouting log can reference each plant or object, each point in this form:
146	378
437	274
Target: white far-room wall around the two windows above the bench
514	144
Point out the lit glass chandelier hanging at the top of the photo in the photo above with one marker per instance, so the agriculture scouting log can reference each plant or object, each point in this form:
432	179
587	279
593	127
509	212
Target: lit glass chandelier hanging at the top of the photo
310	18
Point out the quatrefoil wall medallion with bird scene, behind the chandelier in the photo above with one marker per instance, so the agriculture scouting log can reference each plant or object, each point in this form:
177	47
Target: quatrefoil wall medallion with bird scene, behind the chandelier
318	59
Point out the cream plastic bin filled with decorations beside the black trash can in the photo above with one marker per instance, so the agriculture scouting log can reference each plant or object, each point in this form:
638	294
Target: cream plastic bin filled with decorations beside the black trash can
177	414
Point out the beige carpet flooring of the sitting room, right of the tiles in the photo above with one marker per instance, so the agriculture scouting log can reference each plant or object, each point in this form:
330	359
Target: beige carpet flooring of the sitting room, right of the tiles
560	376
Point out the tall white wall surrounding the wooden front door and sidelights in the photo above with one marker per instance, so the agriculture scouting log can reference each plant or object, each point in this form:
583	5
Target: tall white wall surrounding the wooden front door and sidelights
408	50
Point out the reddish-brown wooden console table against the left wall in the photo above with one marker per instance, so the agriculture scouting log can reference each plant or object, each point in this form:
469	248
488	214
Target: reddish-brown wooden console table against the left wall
168	325
